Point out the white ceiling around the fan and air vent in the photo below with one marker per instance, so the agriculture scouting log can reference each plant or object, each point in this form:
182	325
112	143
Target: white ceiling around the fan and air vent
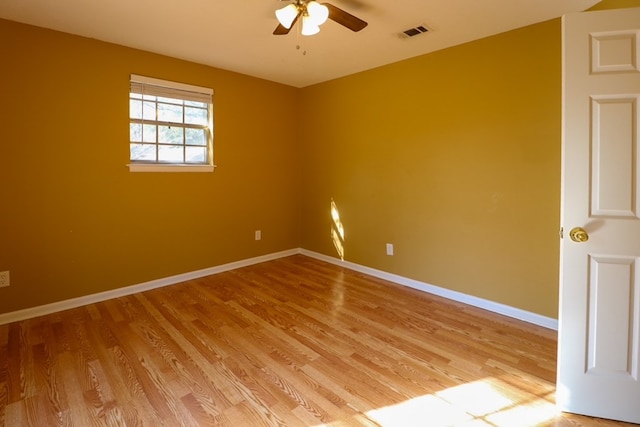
237	35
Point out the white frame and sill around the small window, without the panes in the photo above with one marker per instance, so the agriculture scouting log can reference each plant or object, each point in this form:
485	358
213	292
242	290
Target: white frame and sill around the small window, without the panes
165	88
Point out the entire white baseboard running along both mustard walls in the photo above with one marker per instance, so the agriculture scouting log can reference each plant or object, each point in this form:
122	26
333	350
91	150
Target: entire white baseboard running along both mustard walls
495	307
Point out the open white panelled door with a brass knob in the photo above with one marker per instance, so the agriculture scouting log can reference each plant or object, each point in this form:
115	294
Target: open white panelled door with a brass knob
599	327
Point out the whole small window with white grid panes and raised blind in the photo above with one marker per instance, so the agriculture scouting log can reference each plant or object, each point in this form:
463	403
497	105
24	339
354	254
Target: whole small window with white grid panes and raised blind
170	126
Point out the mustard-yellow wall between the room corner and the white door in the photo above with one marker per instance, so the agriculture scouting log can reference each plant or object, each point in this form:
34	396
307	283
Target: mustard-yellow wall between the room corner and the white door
454	157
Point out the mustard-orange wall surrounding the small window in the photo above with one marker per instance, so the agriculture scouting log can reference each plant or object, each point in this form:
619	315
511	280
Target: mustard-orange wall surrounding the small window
73	219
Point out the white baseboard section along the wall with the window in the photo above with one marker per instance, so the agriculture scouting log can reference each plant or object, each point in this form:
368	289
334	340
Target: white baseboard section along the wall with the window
42	310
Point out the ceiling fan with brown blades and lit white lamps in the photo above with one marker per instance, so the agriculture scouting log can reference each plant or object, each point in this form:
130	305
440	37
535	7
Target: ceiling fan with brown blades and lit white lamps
313	15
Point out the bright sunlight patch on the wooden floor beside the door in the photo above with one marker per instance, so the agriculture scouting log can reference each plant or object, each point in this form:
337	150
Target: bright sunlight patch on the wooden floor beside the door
487	402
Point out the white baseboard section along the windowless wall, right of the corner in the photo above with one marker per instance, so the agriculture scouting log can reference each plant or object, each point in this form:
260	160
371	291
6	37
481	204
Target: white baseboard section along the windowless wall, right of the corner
516	313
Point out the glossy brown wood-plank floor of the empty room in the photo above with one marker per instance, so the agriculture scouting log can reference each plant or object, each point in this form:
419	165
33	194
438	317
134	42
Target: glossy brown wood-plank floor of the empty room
292	342
